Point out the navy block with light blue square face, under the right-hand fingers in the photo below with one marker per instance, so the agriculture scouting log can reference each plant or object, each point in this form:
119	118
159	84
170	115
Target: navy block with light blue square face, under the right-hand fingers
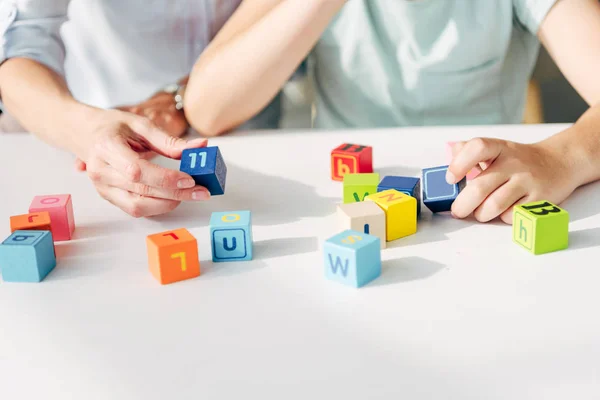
438	195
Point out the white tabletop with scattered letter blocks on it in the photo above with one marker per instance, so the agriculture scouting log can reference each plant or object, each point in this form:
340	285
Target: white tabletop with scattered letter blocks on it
460	311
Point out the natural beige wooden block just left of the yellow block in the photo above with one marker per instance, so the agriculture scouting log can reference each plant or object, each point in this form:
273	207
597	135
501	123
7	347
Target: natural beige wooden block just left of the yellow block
366	217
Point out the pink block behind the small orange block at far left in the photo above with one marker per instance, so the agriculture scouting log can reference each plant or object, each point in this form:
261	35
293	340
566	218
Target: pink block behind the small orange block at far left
60	209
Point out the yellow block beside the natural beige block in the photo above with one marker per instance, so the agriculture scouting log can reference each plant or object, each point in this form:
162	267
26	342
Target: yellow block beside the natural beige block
400	213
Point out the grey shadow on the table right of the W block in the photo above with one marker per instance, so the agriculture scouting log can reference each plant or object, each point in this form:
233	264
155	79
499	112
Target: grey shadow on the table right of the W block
407	269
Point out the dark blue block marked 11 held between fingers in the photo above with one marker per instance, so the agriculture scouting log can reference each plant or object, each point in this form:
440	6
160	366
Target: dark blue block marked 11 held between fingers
207	167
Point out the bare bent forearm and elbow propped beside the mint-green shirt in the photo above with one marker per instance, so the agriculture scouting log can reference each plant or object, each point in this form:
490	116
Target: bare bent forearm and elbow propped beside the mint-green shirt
233	80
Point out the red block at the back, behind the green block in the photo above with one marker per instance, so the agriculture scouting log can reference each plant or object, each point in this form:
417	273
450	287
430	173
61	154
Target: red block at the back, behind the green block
351	158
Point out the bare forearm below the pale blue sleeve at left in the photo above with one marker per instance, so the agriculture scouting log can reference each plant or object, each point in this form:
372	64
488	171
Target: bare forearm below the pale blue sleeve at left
40	100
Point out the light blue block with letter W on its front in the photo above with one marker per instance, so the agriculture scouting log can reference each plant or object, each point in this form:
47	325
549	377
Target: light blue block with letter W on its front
352	258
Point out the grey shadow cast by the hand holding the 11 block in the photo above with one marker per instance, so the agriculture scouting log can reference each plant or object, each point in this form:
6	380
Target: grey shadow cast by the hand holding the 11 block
273	200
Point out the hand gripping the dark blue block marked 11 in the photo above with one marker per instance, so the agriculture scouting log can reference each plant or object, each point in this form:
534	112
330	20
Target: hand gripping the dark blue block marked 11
115	162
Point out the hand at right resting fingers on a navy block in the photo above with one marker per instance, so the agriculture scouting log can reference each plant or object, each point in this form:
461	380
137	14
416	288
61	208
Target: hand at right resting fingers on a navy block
513	173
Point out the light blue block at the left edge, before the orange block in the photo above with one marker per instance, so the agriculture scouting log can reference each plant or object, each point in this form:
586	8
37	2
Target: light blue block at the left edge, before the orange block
27	256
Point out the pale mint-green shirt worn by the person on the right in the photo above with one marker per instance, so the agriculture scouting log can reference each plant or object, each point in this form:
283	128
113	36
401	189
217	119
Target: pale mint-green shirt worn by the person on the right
386	63
